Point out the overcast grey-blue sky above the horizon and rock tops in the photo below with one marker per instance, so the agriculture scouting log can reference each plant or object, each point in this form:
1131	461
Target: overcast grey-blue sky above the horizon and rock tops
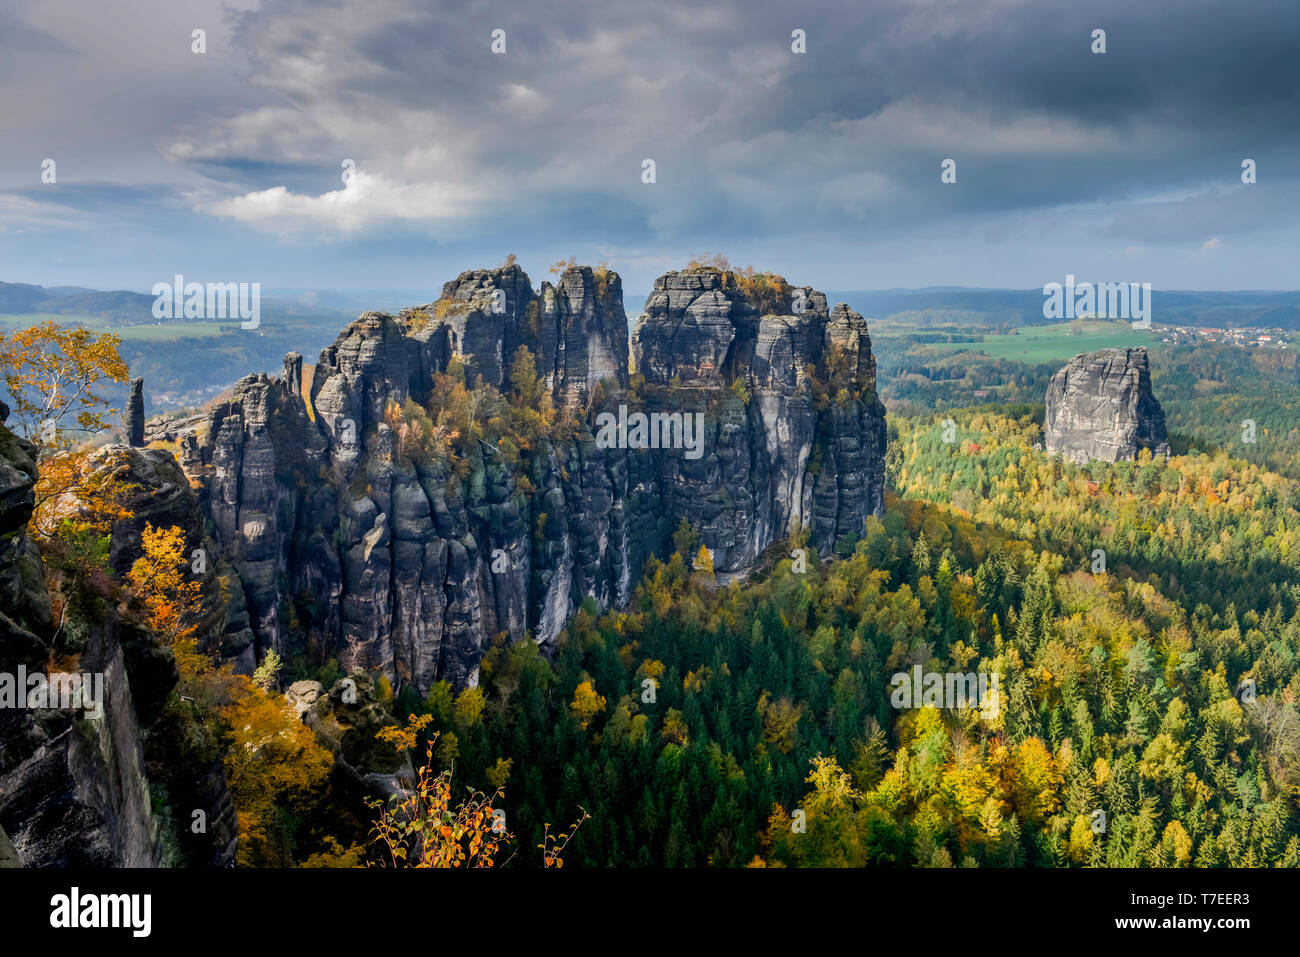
825	167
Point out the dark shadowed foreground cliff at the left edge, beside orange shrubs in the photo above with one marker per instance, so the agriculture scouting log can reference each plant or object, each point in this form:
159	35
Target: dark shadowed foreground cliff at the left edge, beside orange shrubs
75	785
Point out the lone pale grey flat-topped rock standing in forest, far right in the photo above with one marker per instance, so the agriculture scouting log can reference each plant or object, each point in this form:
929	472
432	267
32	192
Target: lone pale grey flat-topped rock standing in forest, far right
1100	406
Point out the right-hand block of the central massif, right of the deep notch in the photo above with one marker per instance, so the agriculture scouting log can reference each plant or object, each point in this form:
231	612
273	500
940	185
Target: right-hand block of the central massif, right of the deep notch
805	448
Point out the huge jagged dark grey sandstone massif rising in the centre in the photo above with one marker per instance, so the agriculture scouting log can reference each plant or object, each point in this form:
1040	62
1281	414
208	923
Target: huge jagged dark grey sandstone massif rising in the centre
346	547
